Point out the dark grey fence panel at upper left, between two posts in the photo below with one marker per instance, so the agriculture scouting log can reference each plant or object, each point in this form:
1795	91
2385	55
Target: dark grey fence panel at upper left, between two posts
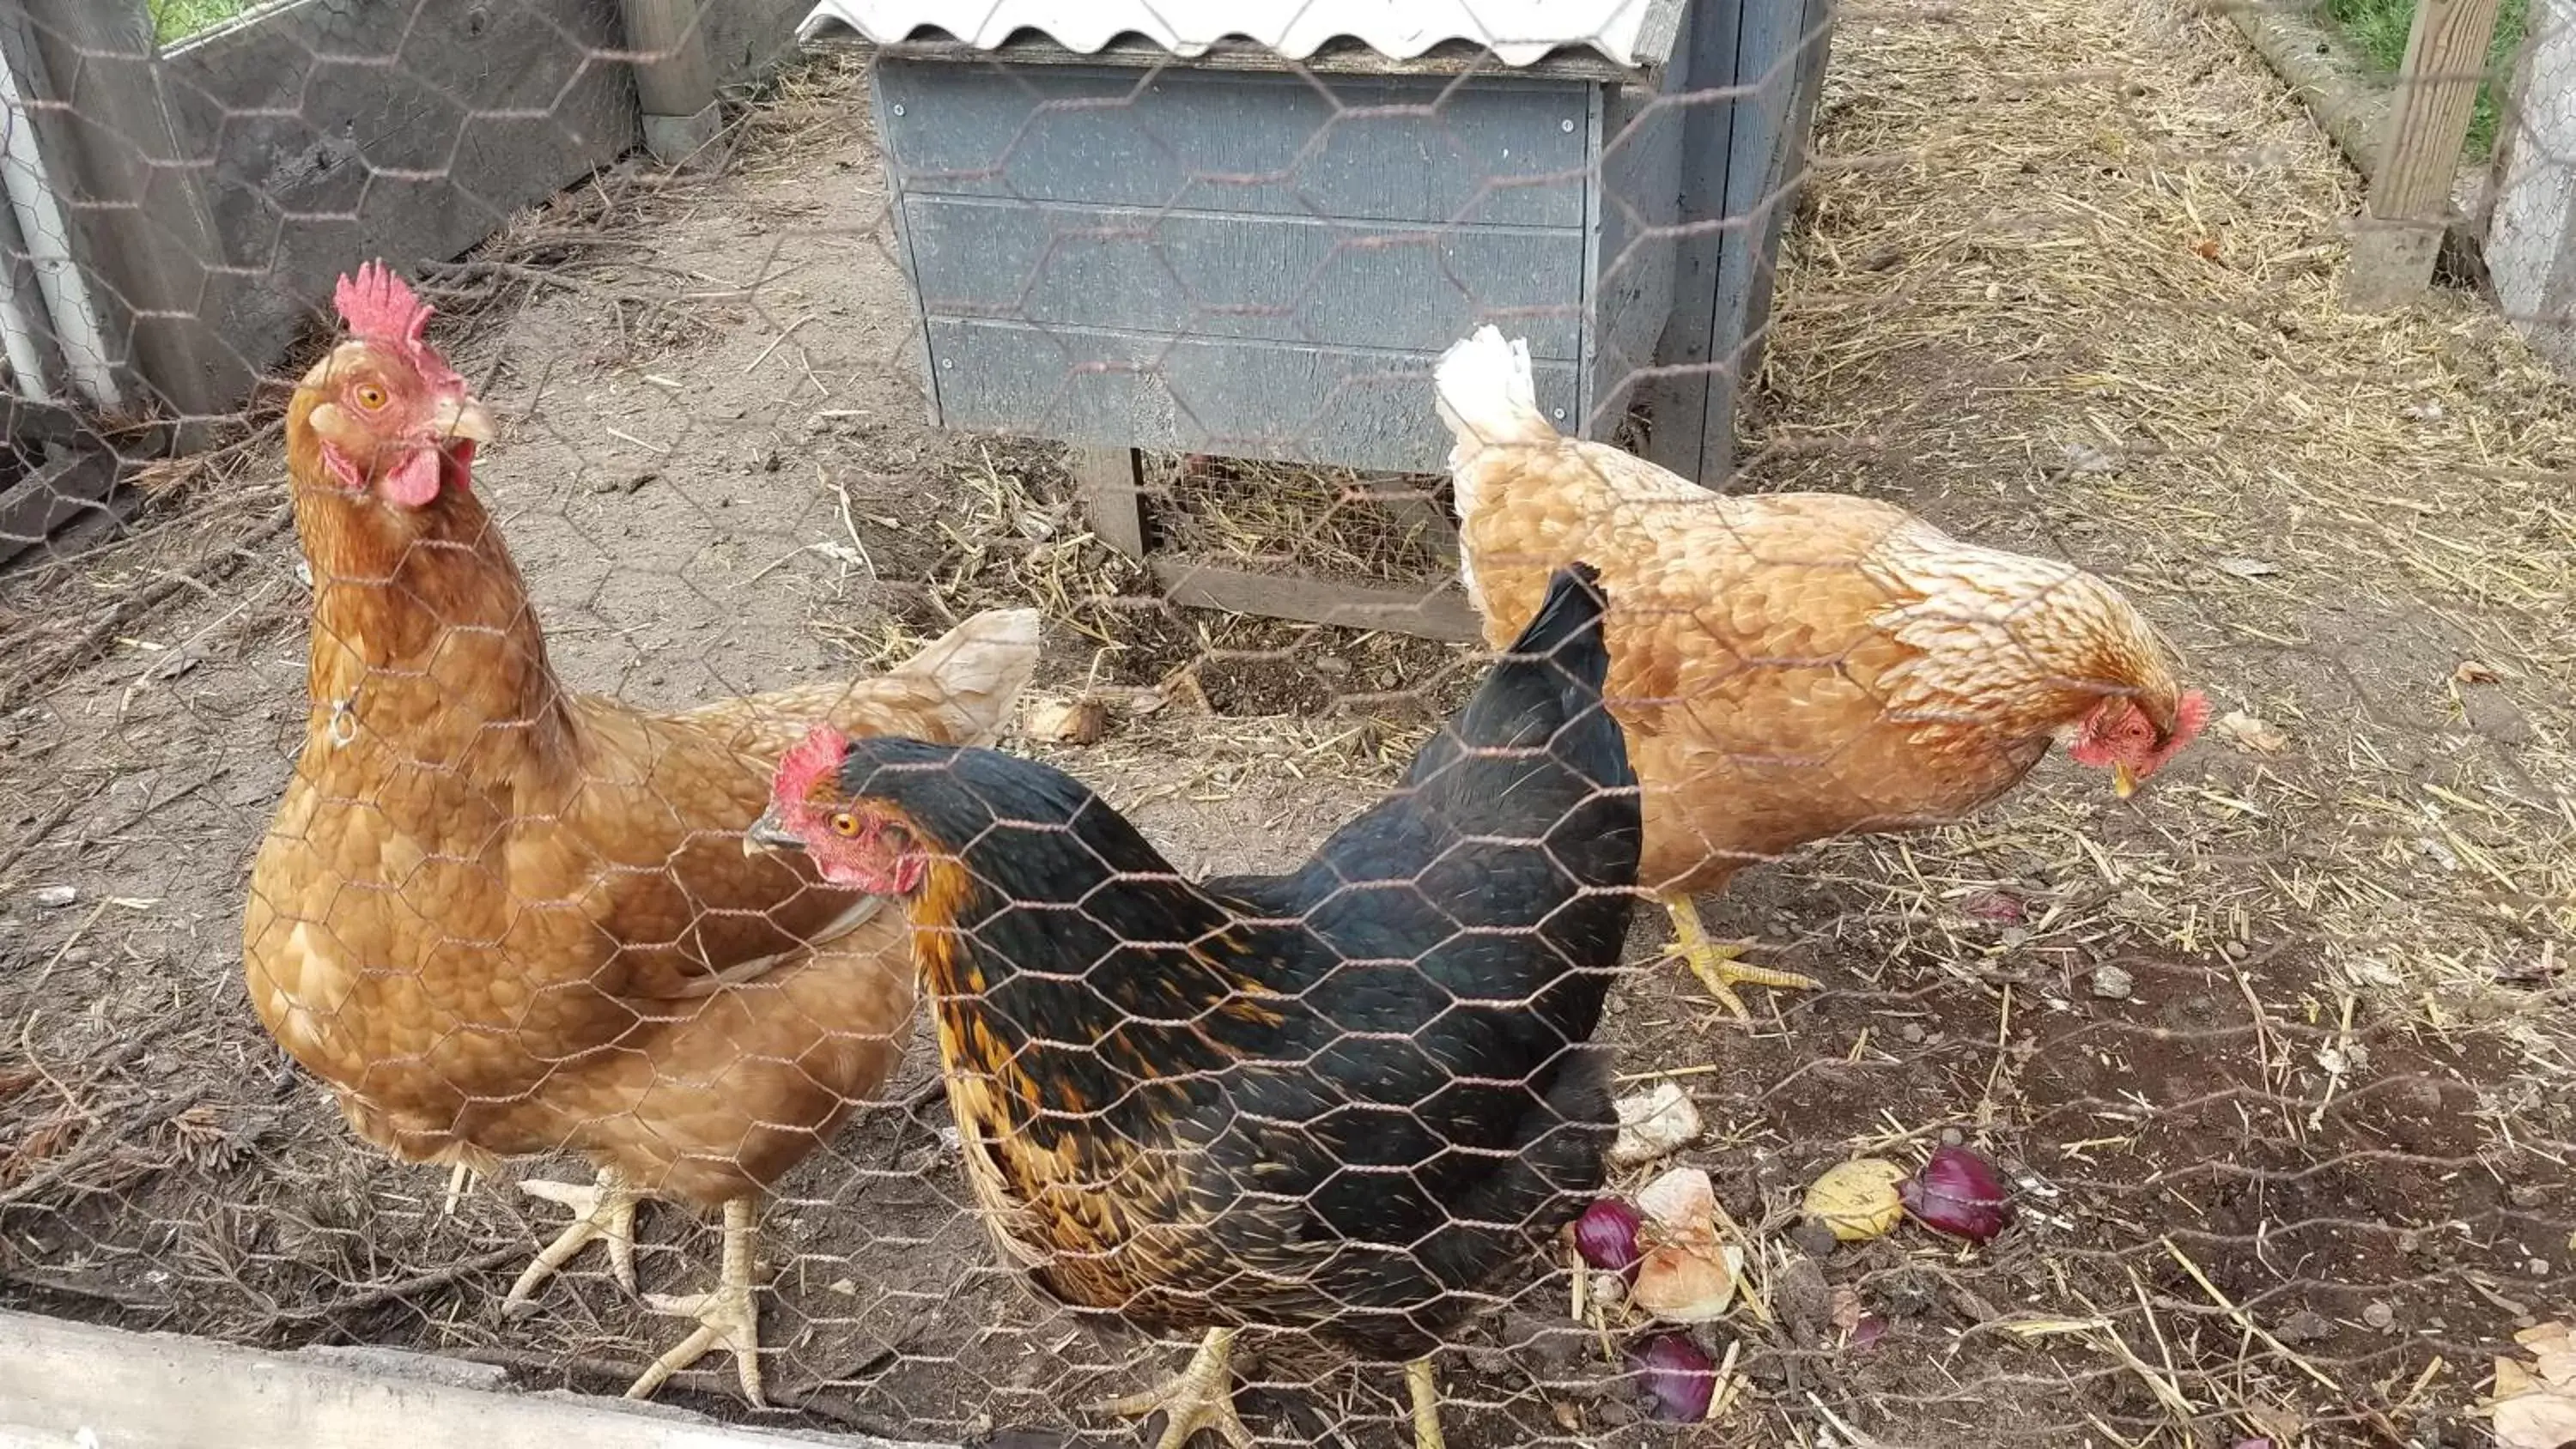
344	130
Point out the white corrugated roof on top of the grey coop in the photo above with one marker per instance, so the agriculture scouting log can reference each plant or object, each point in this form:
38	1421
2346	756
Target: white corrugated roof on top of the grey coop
1516	32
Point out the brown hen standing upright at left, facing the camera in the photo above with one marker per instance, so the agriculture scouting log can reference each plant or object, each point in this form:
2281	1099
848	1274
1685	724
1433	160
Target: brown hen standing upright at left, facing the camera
509	920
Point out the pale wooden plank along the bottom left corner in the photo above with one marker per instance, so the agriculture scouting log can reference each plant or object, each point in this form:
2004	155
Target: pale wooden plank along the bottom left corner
76	1386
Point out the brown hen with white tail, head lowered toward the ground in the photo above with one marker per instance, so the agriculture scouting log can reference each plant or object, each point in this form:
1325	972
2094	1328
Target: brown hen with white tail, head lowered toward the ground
1794	668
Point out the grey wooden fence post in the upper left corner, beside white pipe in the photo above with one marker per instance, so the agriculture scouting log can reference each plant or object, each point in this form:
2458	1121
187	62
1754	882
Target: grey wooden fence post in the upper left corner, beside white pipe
135	202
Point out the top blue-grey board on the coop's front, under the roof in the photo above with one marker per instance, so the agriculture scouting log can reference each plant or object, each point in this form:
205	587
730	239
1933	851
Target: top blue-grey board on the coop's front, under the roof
1482	151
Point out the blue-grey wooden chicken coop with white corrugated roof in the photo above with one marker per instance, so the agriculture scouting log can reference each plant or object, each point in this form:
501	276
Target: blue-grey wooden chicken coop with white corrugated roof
1248	230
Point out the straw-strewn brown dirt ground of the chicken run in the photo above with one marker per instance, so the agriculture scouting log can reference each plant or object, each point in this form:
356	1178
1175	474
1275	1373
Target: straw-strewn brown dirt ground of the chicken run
2276	1051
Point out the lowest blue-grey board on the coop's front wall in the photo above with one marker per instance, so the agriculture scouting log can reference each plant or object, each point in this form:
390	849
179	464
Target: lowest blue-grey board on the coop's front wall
1191	395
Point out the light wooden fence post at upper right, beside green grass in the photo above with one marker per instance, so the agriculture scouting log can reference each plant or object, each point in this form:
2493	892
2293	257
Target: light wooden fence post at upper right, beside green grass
2400	235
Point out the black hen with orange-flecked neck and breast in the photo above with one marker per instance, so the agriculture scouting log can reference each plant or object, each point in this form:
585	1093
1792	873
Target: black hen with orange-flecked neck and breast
1333	1100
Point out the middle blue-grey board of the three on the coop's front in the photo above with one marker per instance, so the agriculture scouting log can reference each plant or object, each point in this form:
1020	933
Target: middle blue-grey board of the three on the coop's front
1284	279
